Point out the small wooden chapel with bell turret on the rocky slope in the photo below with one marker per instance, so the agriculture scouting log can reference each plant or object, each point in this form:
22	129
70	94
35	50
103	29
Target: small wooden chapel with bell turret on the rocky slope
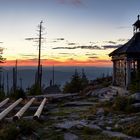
126	59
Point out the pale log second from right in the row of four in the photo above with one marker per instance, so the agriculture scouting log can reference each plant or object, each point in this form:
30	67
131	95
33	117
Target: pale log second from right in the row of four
23	109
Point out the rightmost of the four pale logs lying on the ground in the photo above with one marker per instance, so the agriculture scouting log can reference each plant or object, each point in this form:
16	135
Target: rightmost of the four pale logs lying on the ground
39	110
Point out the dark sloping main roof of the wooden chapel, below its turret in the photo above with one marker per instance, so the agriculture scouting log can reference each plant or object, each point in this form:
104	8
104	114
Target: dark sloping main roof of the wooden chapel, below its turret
131	47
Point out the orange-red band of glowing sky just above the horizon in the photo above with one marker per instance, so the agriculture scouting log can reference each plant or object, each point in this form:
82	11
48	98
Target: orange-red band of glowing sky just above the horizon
50	62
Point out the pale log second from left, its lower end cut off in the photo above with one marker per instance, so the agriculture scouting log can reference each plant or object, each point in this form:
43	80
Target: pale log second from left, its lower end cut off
10	108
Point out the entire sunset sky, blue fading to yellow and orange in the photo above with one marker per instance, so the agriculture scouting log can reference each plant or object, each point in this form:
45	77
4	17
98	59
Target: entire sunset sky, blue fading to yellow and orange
76	32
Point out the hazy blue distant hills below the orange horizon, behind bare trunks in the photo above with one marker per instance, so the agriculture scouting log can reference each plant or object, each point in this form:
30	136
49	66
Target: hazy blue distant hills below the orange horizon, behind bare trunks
62	74
